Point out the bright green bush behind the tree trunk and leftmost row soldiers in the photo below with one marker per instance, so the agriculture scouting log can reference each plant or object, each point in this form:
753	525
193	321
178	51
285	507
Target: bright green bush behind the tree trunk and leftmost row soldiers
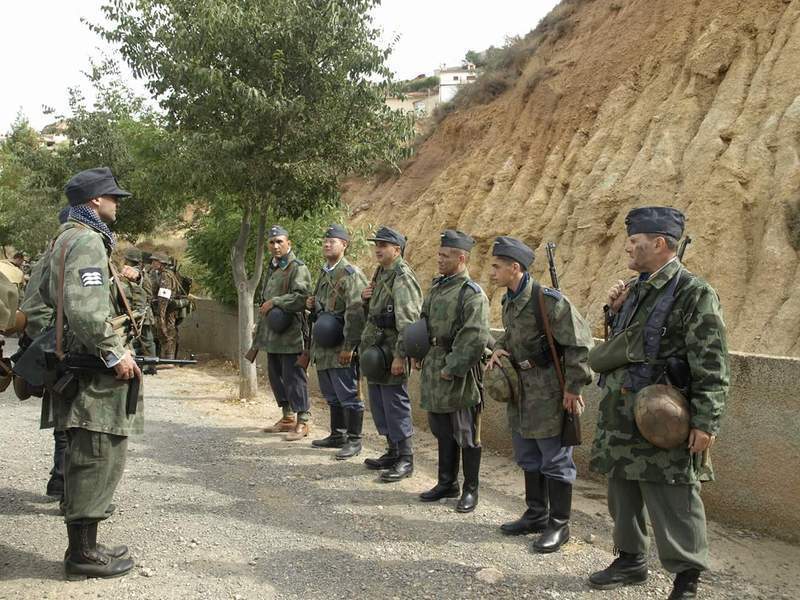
213	233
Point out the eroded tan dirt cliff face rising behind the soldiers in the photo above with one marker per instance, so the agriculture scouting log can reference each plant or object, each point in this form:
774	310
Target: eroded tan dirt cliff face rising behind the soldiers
691	103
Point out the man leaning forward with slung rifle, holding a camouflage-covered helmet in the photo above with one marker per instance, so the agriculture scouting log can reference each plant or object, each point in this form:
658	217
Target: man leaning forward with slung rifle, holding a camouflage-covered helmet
536	420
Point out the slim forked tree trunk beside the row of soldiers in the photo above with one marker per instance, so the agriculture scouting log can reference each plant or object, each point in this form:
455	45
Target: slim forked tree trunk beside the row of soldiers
245	292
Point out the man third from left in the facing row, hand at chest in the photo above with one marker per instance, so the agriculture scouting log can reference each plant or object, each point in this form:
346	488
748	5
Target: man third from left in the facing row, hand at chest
393	300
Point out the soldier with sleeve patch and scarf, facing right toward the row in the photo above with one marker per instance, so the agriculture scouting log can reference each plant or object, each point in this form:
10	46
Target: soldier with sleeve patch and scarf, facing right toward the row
77	285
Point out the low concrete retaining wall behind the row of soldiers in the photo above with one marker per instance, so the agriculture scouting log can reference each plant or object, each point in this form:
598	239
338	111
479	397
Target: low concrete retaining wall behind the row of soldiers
756	458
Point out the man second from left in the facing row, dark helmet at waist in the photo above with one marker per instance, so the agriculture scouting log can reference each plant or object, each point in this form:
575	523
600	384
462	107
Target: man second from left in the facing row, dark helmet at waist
339	321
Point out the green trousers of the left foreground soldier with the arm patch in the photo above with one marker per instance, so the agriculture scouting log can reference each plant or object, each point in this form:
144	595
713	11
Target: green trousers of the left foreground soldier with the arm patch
93	466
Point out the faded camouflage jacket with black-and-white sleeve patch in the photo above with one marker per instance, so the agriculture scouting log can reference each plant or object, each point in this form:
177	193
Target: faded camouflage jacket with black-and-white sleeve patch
90	300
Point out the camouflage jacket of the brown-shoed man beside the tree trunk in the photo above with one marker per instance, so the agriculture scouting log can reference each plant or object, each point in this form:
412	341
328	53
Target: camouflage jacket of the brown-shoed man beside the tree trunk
287	285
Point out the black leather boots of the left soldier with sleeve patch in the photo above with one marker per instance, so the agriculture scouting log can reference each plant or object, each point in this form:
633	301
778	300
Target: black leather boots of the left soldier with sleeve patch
84	558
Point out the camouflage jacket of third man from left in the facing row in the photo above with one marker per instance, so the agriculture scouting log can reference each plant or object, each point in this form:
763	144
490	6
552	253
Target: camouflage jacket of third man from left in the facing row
397	287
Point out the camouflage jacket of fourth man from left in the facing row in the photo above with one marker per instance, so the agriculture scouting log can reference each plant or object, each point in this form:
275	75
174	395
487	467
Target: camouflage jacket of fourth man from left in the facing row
457	356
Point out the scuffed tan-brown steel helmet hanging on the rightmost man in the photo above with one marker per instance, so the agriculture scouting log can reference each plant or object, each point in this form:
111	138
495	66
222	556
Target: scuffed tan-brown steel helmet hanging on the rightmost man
662	416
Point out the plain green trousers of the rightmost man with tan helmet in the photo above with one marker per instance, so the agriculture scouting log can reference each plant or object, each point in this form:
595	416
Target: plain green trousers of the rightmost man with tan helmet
676	514
